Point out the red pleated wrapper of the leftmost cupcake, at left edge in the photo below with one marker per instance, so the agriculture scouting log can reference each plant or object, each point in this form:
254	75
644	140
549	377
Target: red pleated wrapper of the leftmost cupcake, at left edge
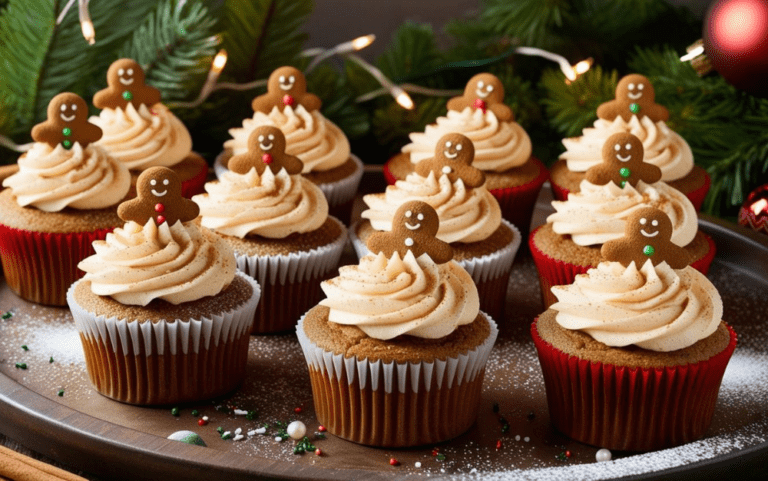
39	266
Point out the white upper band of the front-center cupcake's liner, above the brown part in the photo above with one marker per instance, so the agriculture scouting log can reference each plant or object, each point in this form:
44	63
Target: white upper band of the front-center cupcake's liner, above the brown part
461	369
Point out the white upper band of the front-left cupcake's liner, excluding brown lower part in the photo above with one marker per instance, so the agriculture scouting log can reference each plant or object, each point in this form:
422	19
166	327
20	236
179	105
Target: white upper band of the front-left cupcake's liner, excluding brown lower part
190	335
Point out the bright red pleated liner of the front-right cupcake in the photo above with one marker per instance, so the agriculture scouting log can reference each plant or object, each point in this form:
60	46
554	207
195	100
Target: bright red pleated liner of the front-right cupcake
630	409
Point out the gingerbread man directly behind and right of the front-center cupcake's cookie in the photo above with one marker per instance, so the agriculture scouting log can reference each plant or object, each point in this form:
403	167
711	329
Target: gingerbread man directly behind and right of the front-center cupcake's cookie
454	154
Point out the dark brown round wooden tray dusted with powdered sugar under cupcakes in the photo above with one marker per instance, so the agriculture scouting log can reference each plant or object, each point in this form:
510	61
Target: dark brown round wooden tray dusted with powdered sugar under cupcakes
116	441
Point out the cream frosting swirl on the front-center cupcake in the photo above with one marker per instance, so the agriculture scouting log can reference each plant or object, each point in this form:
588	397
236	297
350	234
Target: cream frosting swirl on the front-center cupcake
387	298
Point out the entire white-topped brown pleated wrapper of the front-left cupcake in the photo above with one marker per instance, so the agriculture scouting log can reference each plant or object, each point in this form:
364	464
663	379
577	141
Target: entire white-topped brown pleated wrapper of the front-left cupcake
166	362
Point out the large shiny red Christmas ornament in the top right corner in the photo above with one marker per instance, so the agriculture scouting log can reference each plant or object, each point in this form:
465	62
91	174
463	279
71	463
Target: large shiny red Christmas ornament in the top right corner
736	42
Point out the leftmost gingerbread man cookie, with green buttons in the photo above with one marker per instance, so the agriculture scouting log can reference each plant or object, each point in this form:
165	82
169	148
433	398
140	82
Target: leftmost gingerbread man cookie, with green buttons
67	123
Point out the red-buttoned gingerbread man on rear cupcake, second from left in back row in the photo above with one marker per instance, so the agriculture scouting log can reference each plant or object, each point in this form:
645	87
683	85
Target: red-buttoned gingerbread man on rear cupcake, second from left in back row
286	86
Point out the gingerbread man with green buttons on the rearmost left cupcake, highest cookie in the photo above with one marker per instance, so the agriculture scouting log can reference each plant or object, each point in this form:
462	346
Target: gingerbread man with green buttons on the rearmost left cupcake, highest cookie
125	84
